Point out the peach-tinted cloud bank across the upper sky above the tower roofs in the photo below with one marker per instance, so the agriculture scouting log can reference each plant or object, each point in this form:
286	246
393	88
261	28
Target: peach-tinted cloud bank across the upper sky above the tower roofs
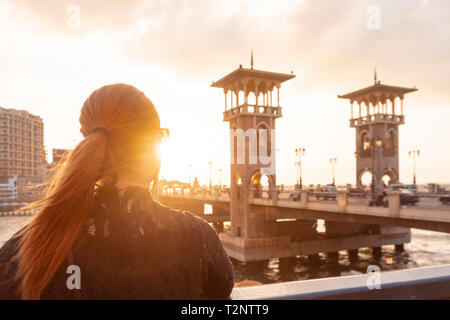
326	42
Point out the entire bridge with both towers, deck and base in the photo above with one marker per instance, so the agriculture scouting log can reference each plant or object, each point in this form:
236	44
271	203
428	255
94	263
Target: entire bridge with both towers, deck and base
275	227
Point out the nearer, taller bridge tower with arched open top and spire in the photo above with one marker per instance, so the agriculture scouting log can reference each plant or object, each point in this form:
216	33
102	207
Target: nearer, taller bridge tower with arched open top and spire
252	104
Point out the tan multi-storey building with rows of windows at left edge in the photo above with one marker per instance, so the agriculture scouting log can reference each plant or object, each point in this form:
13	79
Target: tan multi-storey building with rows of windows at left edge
22	152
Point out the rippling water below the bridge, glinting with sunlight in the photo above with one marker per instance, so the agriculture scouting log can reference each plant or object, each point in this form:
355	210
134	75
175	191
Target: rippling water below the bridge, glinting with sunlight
427	248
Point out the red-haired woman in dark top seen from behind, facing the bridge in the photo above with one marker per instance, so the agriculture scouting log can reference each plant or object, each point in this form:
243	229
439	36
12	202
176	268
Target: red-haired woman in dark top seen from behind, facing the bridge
98	233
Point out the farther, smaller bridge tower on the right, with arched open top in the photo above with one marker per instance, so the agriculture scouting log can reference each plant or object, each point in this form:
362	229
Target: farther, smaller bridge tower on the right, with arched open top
377	120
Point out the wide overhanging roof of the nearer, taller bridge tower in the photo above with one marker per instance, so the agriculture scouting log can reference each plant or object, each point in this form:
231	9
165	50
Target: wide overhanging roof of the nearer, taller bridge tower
233	79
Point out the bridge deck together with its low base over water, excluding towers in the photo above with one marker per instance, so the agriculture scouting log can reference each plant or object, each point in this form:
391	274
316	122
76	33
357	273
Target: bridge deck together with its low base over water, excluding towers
350	223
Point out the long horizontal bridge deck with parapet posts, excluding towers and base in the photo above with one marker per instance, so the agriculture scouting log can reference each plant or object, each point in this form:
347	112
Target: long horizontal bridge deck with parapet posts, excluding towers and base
342	210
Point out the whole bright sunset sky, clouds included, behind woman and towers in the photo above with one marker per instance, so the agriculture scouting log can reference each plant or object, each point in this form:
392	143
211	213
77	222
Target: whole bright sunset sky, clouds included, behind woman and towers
173	49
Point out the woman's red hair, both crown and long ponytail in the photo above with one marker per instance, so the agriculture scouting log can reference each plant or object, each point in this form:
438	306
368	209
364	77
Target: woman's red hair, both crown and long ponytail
130	122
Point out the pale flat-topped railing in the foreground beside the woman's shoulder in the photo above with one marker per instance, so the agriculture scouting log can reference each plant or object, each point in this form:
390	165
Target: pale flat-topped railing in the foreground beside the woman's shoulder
419	283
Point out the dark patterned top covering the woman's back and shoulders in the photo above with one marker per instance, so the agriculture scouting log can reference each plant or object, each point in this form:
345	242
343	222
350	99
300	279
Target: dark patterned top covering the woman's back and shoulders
133	247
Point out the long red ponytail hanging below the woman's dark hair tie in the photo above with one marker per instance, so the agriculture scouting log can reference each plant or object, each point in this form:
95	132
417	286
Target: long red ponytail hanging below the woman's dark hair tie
48	238
